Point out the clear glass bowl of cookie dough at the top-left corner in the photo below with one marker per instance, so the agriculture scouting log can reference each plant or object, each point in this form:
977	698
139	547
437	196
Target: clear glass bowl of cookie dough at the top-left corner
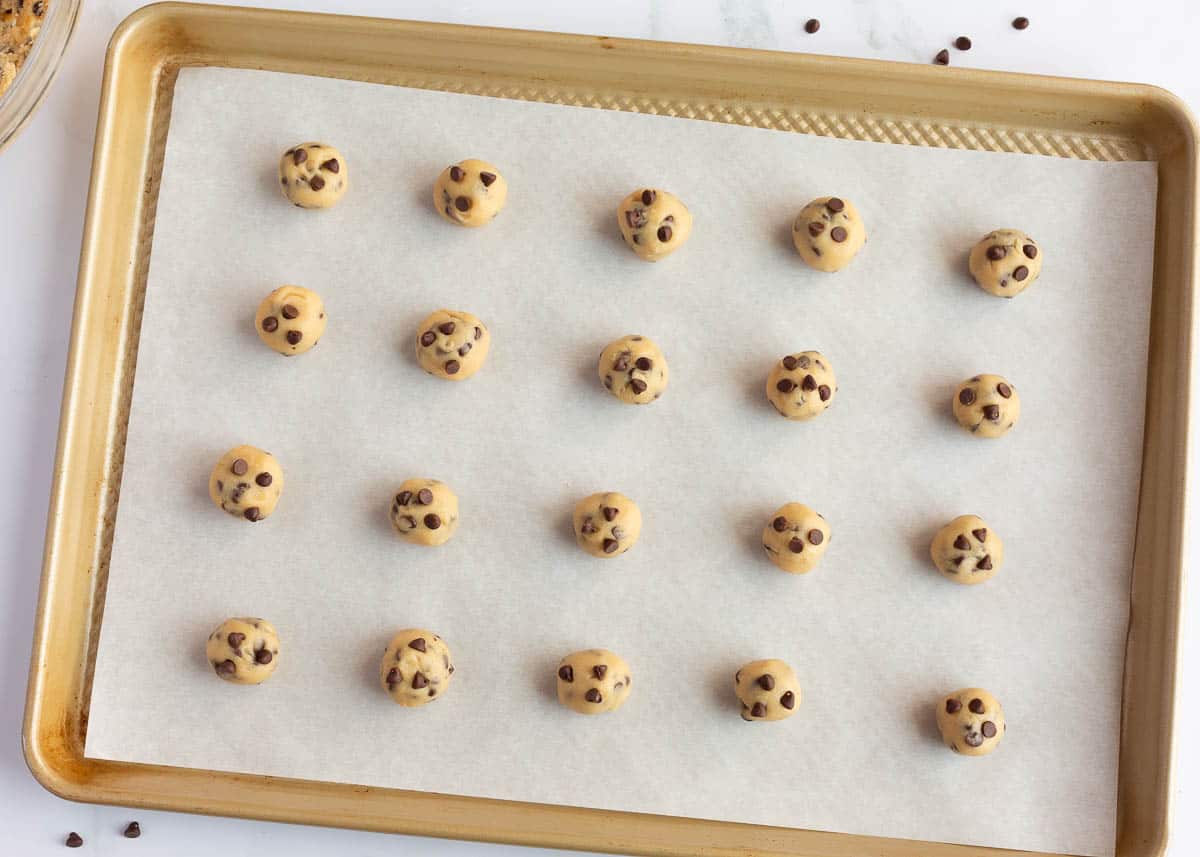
34	37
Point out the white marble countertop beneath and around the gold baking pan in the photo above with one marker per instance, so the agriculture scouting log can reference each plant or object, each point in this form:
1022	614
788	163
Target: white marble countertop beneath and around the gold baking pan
44	178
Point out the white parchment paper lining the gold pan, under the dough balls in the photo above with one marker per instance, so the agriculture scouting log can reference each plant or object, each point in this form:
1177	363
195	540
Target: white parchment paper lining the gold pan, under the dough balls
875	634
